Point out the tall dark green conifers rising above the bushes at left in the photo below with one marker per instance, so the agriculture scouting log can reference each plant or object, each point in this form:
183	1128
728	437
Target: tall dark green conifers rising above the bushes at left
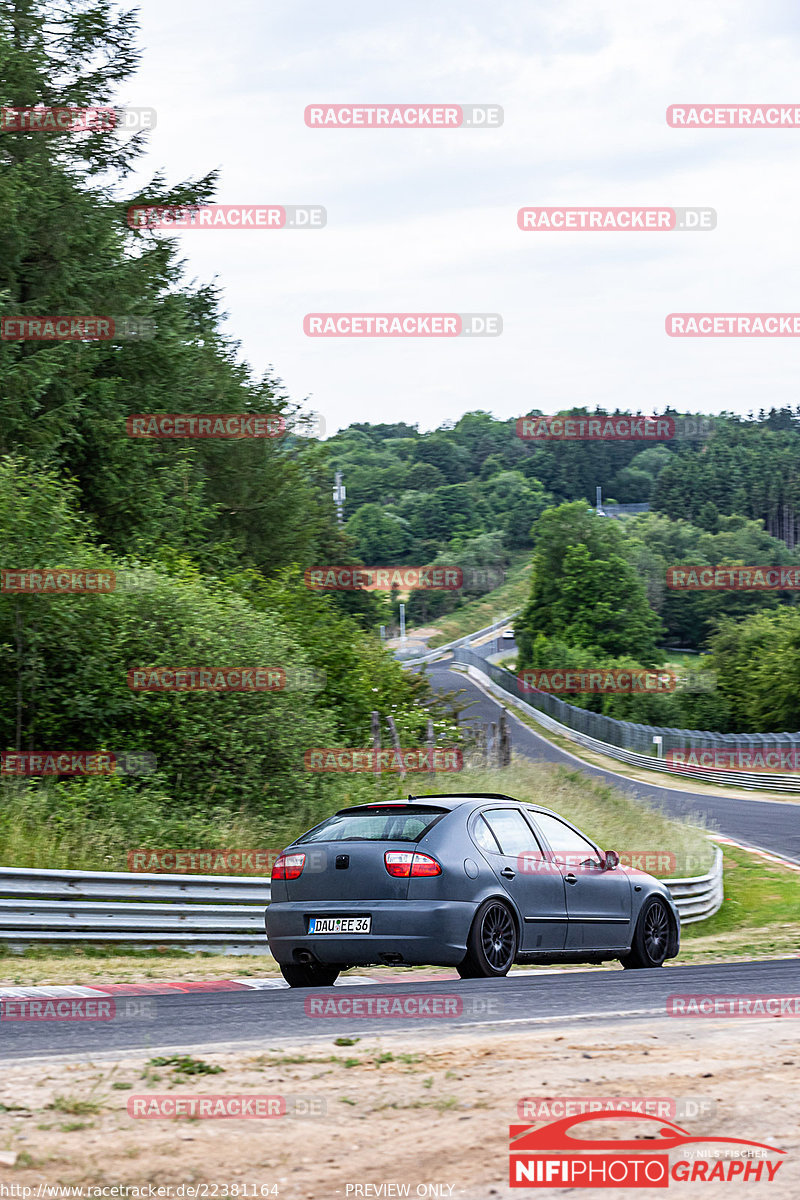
67	249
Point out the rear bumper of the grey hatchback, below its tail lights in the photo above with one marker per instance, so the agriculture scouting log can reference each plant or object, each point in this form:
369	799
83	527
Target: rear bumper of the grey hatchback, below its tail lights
413	932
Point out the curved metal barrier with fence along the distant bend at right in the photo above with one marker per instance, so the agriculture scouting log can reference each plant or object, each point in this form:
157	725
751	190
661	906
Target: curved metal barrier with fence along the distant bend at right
574	723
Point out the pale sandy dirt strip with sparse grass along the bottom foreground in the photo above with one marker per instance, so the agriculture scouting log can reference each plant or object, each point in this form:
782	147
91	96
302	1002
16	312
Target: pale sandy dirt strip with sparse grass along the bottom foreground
401	1109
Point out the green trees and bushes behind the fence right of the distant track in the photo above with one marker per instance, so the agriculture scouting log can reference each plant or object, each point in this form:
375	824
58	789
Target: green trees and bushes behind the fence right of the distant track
600	598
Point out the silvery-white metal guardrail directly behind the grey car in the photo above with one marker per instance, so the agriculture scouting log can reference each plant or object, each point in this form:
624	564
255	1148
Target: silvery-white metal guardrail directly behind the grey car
197	913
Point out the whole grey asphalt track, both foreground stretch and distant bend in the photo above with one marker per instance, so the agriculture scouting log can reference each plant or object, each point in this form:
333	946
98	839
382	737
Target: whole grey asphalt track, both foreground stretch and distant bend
266	1018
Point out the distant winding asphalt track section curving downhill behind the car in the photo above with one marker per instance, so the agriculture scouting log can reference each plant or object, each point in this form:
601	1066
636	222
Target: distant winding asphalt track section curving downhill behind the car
767	825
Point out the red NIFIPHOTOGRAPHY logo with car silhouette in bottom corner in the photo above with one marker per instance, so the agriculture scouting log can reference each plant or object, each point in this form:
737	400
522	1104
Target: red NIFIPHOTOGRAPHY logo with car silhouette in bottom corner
555	1157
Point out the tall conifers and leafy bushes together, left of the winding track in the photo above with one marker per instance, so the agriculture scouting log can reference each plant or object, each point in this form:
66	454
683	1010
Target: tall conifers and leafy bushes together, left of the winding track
218	533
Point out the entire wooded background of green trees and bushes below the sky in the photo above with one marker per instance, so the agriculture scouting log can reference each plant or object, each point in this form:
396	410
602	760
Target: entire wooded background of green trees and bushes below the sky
220	532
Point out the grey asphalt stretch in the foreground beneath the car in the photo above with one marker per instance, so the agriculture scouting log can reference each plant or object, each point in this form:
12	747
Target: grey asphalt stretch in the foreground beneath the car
521	1001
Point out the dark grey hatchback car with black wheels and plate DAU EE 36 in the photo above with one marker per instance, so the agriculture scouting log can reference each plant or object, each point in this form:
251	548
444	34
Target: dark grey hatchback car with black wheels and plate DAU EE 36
477	883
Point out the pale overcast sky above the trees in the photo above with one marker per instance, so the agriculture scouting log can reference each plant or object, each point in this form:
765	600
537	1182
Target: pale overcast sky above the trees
425	220
